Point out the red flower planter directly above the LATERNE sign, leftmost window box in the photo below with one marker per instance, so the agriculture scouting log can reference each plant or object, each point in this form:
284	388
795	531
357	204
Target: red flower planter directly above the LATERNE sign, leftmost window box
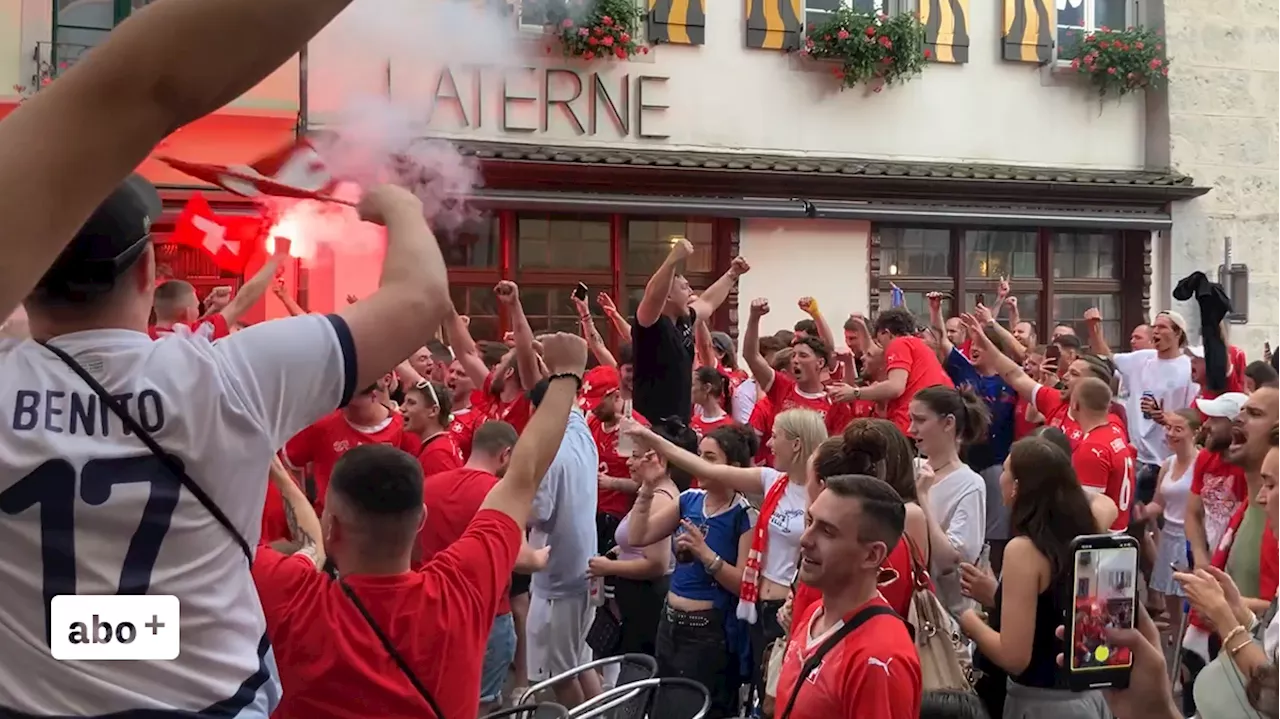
596	30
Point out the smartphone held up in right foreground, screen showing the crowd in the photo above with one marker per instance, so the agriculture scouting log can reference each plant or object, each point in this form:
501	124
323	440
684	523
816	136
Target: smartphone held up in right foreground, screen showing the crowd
1103	596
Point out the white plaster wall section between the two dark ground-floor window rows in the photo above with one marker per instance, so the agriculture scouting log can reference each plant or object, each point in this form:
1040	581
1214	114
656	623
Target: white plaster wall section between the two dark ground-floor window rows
794	259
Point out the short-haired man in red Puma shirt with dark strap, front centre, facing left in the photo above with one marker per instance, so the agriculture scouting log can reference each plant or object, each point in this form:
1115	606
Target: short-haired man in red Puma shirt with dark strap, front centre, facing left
867	665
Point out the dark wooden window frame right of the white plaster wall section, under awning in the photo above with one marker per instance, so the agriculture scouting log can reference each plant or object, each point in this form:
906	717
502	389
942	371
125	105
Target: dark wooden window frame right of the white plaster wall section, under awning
1133	258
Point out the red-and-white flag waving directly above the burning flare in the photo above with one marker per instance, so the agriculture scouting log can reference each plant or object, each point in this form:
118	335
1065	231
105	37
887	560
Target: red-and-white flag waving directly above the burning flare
295	171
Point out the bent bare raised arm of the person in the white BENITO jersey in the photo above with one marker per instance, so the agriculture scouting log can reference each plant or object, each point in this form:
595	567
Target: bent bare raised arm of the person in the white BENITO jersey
387	327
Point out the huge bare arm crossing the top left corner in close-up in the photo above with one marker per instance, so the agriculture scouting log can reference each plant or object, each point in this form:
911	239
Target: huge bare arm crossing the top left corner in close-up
68	148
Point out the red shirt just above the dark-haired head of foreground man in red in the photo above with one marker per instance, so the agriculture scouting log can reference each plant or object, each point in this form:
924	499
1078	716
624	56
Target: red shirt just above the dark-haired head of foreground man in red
326	442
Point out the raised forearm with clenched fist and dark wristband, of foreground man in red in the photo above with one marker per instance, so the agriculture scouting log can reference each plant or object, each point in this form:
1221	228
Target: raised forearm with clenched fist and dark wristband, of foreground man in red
514	494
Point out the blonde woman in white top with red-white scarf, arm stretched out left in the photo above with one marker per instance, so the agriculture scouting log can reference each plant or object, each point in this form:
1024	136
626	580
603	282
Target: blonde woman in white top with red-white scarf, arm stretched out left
771	565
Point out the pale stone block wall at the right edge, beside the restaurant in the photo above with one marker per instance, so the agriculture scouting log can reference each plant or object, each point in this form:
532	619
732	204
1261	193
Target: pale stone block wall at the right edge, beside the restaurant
1224	127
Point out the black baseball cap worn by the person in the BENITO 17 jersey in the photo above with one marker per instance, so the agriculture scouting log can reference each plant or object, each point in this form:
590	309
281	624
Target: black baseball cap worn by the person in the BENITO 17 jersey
108	244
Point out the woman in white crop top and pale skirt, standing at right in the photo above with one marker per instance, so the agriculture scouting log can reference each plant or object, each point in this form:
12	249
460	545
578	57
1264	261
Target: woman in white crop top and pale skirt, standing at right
1173	489
